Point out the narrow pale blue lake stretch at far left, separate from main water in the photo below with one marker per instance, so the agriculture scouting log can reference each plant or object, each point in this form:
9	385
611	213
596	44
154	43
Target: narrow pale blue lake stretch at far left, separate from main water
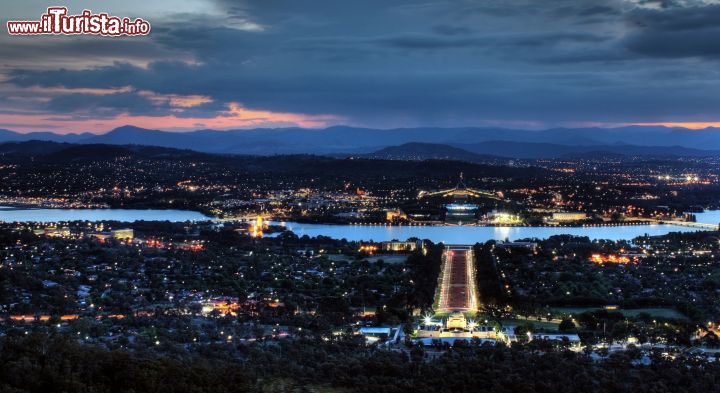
9	214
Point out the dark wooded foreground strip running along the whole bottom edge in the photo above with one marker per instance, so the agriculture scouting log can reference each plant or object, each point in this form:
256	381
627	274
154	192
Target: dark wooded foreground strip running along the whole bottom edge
40	364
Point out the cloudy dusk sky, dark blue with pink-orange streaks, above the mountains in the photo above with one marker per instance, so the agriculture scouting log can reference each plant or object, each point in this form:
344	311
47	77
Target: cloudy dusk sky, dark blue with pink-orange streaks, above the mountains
373	63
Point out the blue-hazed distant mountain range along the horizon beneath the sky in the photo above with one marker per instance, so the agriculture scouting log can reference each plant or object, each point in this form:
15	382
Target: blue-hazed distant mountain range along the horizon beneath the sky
415	142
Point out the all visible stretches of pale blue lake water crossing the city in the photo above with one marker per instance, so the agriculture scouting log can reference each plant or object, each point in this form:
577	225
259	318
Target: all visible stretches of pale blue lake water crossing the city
447	234
